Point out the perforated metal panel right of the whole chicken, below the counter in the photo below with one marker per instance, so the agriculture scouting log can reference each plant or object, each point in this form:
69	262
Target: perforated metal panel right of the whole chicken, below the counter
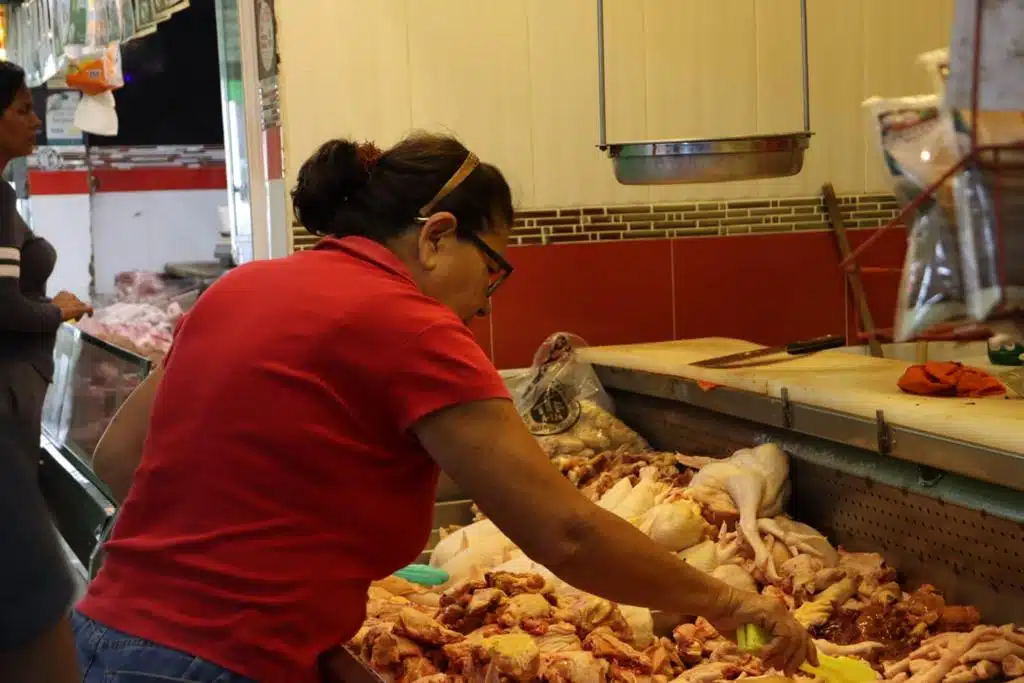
973	558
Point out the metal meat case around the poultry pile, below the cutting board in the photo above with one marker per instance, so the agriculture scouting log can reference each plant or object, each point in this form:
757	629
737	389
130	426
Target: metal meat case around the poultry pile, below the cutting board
869	486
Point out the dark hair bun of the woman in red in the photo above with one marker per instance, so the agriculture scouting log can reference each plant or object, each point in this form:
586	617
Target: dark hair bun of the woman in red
329	181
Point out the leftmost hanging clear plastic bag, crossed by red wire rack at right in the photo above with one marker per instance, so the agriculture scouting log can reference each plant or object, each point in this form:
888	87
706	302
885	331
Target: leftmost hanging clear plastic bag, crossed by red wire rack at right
916	140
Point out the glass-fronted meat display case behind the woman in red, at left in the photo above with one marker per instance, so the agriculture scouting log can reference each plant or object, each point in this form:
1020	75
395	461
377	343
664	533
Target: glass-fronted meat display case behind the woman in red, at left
92	380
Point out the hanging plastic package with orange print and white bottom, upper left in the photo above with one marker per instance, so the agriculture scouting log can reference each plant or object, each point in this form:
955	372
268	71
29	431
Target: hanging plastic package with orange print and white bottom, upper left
95	63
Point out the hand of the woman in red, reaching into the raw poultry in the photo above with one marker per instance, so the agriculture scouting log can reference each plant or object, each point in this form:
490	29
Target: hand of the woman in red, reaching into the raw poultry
791	645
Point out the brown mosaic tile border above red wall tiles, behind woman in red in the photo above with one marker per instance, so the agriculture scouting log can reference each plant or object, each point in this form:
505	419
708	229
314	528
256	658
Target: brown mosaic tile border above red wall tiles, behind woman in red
660	222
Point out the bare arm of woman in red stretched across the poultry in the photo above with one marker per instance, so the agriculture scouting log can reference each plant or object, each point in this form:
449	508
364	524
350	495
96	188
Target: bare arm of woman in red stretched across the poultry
486	448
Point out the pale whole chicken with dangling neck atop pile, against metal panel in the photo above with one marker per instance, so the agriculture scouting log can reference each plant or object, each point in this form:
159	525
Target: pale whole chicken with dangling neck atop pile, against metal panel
758	483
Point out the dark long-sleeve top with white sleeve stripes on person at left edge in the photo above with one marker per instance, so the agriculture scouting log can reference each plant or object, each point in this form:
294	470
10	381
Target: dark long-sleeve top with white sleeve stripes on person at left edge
28	321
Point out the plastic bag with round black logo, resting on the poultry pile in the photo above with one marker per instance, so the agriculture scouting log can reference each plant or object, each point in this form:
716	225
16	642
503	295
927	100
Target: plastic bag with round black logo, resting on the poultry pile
565	406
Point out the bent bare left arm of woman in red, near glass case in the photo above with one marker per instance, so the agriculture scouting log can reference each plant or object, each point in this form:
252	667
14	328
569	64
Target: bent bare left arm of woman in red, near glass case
120	449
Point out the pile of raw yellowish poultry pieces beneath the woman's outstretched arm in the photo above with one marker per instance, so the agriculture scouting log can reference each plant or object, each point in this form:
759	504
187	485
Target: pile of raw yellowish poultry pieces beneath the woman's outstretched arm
504	618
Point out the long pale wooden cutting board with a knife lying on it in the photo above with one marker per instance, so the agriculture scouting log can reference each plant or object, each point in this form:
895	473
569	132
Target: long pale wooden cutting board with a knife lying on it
849	383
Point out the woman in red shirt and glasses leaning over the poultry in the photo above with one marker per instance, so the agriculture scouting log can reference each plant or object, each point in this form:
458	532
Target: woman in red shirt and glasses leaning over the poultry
294	436
